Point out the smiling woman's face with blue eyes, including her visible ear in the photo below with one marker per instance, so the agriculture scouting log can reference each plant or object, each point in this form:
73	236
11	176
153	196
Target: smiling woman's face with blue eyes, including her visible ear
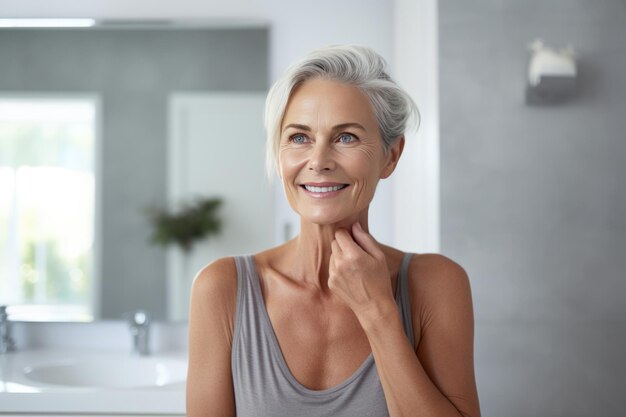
331	154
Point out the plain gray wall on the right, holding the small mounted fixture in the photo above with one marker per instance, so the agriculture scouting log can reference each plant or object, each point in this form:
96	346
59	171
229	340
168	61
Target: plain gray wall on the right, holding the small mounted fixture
534	203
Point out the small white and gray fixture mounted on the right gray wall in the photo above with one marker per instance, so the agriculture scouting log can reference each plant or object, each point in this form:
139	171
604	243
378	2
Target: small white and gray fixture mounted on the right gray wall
551	74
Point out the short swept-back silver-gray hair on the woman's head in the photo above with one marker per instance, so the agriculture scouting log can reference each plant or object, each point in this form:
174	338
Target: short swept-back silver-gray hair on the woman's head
359	66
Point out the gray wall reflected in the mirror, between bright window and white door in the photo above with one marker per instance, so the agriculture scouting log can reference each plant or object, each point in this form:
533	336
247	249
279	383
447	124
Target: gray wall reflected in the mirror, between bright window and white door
133	71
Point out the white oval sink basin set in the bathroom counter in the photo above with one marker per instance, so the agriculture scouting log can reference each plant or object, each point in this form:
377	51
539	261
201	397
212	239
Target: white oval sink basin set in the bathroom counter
110	372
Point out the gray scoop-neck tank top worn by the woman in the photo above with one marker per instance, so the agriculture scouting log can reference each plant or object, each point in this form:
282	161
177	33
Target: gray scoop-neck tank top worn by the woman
263	383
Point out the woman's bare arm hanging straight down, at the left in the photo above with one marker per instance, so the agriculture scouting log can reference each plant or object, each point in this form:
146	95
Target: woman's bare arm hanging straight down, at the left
211	323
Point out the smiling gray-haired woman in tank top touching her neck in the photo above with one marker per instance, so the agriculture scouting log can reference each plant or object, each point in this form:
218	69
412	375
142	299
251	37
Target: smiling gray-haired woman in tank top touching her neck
333	323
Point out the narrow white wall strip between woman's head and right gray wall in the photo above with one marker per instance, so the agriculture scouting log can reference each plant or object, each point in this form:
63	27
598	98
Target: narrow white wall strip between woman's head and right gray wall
416	181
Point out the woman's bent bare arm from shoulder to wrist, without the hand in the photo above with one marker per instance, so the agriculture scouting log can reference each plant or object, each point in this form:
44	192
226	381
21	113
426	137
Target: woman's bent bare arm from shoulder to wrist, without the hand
440	376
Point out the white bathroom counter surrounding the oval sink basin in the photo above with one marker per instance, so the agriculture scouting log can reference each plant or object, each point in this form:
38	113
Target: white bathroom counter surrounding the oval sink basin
21	395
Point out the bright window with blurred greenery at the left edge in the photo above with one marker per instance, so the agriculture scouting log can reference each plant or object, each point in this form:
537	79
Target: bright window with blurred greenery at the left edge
47	204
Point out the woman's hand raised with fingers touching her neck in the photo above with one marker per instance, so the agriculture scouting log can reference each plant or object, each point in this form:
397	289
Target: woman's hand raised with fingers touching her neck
359	275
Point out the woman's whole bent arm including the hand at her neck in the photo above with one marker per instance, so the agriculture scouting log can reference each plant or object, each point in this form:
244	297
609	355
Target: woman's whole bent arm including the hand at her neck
438	379
